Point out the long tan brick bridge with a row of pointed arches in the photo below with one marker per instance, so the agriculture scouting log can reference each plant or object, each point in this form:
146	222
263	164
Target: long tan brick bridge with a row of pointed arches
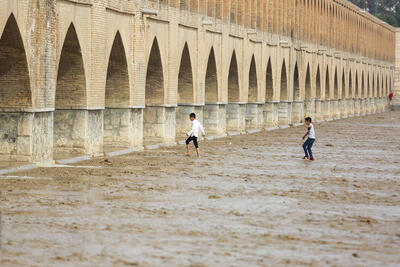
86	76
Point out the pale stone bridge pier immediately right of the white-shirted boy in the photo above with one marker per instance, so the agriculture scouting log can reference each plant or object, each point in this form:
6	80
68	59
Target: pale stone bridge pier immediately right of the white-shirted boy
214	119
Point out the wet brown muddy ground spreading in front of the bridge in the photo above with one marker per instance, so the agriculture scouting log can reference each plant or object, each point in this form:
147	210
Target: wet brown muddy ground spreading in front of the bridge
254	202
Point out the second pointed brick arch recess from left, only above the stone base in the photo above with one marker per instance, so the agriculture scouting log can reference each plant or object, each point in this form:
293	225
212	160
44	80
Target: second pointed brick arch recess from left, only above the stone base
71	79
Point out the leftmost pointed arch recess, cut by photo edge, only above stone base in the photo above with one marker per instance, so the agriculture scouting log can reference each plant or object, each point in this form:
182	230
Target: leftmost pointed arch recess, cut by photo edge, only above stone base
15	91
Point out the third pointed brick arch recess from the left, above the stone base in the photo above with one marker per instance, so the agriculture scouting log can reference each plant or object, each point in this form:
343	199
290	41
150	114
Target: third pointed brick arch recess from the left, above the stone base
117	82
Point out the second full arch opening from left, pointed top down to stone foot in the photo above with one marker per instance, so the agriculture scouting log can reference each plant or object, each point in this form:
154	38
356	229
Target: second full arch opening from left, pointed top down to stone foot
70	99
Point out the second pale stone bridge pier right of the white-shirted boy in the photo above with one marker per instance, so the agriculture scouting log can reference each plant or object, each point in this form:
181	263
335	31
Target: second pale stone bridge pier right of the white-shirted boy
236	118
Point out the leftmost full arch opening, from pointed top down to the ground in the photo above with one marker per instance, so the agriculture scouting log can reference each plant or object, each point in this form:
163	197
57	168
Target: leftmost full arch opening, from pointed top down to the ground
15	92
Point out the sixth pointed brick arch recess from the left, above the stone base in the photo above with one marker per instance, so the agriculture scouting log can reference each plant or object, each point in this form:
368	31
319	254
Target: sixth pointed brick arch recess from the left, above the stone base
211	83
